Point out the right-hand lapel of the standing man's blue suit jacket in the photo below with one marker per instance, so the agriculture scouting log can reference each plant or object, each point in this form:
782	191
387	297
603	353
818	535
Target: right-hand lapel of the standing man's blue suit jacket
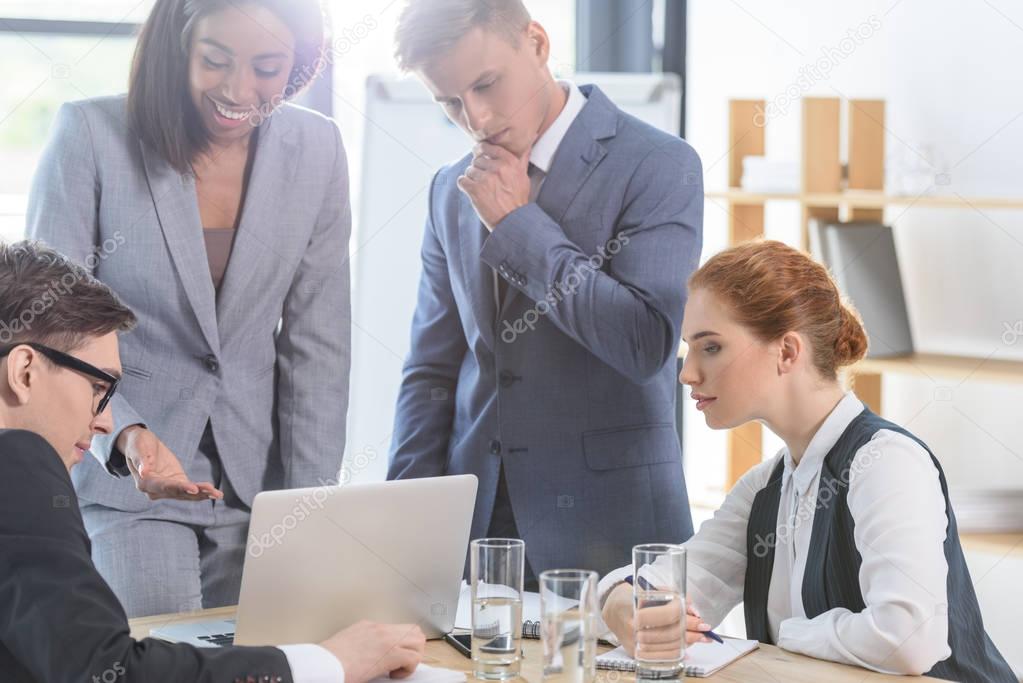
579	155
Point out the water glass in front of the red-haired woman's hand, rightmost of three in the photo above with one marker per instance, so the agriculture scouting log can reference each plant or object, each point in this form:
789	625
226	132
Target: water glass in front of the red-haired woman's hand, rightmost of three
659	583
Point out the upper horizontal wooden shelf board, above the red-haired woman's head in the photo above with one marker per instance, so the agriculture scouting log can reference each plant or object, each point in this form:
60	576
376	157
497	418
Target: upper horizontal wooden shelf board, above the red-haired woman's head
866	200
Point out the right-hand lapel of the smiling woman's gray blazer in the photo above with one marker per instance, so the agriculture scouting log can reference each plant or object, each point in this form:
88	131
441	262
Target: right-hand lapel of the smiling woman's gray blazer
255	244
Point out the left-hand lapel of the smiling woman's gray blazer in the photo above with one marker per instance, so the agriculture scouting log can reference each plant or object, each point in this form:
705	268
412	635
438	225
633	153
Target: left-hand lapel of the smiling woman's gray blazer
177	210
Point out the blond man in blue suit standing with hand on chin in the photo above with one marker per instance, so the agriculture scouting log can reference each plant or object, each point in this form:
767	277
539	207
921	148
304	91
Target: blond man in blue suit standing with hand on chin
555	261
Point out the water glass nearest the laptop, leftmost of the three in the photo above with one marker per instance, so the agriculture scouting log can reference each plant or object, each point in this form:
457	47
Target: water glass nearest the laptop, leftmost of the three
498	568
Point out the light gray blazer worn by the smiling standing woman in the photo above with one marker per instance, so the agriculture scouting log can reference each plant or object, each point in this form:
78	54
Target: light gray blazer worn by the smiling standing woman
266	360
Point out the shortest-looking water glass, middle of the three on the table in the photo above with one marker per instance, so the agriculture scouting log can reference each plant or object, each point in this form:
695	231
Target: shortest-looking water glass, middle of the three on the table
568	625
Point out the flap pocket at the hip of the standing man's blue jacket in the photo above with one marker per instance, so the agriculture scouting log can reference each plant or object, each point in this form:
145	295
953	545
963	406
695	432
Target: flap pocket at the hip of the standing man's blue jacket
632	447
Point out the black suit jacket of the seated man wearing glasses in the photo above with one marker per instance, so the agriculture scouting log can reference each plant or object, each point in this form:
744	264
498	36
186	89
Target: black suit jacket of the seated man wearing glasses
61	623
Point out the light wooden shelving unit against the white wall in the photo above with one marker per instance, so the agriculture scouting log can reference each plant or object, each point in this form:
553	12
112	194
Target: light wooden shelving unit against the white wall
824	197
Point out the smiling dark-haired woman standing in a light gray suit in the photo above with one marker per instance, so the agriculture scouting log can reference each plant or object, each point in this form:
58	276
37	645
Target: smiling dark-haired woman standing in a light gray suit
220	214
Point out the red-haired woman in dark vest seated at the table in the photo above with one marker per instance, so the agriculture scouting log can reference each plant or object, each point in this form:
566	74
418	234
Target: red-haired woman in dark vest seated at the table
843	547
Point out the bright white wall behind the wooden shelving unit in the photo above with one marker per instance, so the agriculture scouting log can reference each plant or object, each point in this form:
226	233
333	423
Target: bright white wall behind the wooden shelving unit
950	74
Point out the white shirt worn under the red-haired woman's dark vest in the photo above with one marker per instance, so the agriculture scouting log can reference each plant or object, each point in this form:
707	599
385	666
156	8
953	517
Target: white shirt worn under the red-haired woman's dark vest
897	503
